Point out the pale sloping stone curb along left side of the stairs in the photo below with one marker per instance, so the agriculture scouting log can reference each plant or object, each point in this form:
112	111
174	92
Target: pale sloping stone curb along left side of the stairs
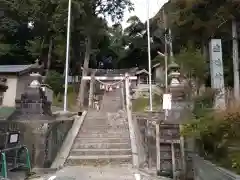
66	147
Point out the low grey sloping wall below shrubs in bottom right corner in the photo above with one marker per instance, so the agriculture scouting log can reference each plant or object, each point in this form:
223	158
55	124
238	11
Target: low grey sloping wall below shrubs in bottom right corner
205	170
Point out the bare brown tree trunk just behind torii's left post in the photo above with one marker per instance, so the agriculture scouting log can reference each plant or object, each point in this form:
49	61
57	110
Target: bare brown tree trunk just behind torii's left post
84	72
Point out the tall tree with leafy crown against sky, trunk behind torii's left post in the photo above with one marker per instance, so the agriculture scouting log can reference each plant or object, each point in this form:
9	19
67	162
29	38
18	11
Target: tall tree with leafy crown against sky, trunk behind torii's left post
93	10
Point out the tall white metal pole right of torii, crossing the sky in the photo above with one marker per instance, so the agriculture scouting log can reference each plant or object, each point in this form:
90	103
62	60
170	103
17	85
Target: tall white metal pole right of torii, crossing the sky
149	59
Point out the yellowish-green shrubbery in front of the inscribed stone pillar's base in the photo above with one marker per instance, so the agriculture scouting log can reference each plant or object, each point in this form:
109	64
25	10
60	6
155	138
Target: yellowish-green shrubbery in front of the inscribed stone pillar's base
217	133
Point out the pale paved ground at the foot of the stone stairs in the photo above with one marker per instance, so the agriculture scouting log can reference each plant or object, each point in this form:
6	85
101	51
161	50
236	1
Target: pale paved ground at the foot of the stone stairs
100	173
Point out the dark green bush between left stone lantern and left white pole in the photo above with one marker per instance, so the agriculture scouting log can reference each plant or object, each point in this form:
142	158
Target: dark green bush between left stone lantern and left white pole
56	81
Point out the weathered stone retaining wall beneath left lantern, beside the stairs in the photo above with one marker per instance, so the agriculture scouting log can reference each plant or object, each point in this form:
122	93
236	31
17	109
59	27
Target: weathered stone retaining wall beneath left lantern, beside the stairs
43	139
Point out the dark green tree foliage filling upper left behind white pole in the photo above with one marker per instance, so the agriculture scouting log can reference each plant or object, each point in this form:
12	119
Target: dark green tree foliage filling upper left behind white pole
50	20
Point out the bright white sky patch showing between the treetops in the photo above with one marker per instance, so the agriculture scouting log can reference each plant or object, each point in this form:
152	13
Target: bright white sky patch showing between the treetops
141	11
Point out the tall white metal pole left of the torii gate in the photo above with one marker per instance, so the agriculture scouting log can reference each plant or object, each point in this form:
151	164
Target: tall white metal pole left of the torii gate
67	55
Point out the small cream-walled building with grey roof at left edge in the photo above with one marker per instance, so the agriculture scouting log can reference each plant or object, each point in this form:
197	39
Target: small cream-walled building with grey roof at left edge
17	79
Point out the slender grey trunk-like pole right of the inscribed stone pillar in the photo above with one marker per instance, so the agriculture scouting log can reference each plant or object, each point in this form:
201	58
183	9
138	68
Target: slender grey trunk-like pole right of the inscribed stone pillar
235	60
